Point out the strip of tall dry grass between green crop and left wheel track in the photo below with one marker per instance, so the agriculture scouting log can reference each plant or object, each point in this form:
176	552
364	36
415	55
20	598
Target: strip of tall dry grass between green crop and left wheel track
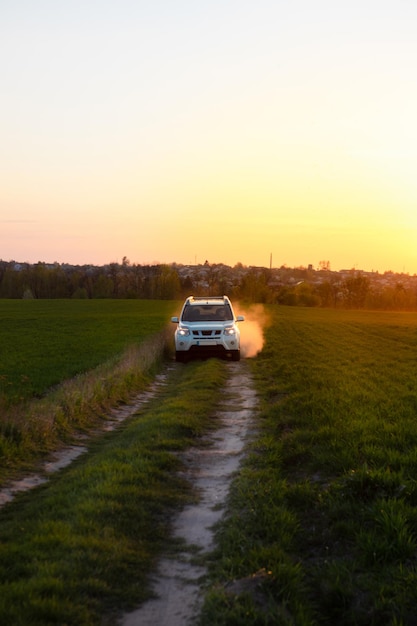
34	428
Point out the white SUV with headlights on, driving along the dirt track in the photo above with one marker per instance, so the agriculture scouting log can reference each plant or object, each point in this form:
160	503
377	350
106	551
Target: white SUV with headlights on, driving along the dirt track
207	326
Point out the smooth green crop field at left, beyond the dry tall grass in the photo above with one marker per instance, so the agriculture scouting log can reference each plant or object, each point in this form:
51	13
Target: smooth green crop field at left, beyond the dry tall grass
44	342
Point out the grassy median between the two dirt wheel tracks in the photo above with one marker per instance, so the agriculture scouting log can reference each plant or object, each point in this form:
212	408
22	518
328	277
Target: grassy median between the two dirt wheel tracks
82	547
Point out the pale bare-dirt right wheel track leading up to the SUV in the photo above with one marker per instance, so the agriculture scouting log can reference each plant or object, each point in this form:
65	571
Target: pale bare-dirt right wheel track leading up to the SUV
209	467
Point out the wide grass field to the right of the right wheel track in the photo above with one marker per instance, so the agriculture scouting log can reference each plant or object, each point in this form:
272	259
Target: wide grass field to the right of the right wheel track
322	523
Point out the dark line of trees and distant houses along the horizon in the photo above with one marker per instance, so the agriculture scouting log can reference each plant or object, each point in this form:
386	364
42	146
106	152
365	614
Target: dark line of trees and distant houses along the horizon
293	287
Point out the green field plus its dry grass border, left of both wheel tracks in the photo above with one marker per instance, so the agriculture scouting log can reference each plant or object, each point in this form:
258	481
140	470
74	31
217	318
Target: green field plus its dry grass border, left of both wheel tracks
64	363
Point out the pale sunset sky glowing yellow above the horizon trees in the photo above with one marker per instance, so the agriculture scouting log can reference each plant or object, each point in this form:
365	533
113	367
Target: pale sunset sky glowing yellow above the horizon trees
227	131
